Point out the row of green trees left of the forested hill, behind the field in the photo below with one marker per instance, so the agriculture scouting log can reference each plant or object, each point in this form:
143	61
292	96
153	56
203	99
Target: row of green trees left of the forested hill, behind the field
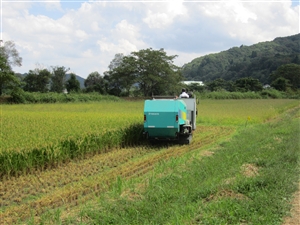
146	72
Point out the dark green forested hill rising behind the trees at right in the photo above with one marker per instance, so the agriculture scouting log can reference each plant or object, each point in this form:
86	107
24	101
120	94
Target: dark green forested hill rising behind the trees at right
257	61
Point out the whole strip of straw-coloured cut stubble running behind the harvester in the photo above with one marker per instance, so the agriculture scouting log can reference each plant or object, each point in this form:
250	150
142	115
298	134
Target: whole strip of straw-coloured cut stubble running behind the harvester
78	187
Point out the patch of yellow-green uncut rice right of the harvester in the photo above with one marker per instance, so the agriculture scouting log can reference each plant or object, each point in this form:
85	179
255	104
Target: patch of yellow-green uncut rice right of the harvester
241	112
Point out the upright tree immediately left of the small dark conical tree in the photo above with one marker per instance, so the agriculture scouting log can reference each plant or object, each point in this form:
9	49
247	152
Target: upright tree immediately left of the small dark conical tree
58	78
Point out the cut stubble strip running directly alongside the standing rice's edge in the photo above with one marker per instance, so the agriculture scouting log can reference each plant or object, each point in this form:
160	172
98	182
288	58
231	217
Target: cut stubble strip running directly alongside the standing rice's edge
47	181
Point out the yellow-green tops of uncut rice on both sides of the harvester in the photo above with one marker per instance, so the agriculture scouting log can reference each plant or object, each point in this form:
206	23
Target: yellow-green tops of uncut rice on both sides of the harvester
33	126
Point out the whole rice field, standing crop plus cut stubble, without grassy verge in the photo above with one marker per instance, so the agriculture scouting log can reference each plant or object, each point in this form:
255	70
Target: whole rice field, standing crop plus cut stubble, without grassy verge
56	159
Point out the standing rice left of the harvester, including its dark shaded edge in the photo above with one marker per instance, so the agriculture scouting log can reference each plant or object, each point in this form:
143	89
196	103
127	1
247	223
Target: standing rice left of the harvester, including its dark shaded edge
35	136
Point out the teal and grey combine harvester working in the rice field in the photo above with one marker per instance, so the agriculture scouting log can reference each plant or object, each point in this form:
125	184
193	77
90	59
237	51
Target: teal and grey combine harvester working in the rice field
169	118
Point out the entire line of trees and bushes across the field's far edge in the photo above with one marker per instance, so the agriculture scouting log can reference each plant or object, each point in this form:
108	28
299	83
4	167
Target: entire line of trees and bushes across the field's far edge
142	73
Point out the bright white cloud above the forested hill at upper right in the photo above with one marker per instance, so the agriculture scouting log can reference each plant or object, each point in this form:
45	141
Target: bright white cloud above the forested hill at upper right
254	21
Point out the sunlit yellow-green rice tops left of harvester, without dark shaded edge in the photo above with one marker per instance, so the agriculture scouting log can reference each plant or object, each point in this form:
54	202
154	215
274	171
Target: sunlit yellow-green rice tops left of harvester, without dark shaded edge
34	126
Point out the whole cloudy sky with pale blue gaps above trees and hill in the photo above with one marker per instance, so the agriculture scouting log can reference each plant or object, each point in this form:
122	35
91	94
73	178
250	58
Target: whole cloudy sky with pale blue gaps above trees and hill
85	36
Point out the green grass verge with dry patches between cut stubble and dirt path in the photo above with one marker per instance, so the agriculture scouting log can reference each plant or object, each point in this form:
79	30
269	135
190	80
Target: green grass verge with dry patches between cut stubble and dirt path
194	189
